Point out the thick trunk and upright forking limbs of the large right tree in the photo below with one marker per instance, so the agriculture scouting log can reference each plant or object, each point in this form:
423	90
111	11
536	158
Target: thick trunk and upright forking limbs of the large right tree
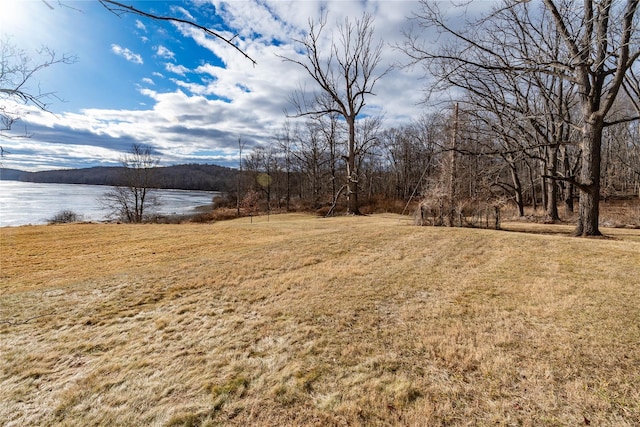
602	50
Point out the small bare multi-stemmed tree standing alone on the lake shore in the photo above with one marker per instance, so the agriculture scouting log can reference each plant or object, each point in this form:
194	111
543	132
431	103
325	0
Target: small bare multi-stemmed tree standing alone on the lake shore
131	200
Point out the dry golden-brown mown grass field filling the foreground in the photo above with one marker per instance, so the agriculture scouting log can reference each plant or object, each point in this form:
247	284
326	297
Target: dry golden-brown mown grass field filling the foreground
307	321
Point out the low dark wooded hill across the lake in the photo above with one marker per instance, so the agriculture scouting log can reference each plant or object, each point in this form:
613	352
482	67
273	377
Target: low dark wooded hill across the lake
183	177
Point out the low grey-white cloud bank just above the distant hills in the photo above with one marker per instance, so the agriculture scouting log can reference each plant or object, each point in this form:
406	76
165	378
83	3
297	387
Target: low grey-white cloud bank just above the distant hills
182	128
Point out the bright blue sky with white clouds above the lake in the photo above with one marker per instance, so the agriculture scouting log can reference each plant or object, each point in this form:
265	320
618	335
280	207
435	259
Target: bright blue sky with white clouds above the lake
188	96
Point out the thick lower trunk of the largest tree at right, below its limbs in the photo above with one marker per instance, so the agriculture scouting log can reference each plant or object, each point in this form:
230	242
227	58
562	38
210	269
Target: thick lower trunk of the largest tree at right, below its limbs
589	210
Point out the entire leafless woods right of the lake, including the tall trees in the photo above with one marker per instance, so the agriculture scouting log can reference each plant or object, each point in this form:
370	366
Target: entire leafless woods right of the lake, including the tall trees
529	105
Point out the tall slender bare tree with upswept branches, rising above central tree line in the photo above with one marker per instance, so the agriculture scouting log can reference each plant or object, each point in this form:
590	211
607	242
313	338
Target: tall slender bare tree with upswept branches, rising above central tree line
346	76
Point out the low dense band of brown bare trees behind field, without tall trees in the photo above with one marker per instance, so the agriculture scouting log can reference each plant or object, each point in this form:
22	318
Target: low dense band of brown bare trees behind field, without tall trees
451	165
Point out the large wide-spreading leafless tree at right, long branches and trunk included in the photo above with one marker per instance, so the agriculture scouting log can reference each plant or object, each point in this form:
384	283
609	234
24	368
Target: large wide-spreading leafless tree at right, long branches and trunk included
536	66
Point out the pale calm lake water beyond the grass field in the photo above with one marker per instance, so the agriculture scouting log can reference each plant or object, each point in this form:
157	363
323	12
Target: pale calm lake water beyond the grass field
34	203
